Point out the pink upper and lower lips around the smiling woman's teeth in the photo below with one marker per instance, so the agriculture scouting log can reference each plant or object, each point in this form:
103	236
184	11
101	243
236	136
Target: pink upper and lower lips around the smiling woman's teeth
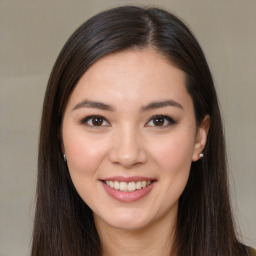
128	196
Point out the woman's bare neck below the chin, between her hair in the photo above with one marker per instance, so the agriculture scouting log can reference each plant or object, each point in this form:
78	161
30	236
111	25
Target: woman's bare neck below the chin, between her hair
151	241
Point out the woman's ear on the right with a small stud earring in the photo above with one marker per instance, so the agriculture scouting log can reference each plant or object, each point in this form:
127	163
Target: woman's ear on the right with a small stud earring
201	138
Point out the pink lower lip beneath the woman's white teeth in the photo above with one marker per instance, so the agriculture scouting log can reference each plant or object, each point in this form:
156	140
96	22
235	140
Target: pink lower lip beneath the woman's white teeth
128	196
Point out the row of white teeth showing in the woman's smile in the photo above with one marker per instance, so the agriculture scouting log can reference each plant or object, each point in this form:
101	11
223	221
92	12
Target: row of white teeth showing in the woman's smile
127	187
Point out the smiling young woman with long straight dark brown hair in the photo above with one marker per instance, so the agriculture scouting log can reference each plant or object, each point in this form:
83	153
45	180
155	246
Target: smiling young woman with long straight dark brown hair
132	155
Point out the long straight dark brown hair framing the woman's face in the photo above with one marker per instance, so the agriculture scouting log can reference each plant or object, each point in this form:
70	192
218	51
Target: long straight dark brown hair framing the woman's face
63	222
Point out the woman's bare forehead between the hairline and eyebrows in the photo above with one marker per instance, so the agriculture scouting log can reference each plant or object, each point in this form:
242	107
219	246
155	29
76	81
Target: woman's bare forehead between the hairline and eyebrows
132	76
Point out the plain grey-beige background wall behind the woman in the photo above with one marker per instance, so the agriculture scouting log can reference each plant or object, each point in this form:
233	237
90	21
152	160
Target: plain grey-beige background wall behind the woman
32	34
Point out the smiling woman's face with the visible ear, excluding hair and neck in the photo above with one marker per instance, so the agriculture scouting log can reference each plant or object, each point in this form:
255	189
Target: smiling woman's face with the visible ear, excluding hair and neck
129	135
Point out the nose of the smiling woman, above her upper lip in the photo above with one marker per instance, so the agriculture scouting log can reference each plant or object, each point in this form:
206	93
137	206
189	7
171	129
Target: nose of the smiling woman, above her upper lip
128	149
